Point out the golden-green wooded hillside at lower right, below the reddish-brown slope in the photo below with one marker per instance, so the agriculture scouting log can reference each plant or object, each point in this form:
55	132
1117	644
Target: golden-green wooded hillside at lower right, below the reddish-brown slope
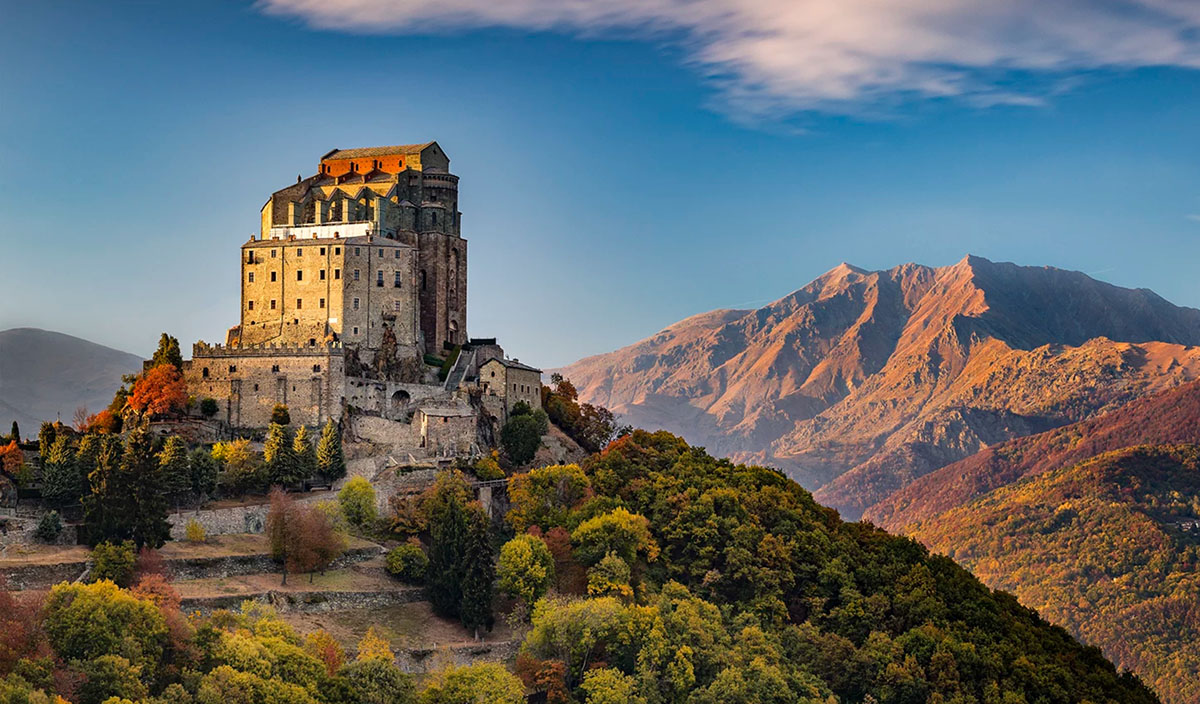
1107	549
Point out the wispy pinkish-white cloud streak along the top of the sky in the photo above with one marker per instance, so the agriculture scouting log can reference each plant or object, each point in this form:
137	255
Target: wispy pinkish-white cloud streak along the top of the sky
781	57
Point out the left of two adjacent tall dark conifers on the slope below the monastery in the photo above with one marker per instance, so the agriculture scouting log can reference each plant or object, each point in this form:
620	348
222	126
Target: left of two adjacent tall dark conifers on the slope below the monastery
448	544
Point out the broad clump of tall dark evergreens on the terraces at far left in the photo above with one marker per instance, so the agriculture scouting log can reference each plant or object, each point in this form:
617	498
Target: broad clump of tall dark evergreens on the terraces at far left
128	500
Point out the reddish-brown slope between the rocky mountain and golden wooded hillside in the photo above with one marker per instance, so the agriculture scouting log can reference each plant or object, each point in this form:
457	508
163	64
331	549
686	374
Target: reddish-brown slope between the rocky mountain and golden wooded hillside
1168	418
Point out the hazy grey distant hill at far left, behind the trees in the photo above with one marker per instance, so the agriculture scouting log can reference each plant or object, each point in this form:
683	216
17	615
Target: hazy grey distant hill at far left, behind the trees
44	375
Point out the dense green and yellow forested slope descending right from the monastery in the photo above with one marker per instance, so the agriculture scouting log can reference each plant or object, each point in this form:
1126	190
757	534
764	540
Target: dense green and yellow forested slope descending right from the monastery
745	589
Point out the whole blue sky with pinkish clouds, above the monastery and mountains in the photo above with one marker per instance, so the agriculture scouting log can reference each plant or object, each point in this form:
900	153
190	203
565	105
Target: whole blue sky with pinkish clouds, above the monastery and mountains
622	169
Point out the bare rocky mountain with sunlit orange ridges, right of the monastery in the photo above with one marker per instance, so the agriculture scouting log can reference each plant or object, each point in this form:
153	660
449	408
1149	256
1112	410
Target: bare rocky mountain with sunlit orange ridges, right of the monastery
865	381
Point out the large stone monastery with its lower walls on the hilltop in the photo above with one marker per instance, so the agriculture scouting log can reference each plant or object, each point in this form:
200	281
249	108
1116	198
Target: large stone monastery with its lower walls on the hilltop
355	304
